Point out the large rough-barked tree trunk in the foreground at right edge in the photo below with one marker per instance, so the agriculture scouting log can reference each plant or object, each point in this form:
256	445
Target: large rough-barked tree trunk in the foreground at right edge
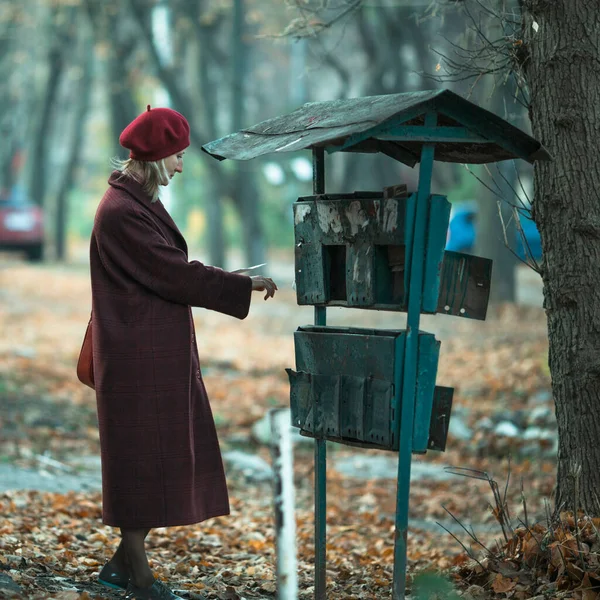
563	75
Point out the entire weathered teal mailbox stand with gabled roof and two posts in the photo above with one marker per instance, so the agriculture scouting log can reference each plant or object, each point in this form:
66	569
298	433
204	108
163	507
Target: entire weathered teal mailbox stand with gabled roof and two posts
384	251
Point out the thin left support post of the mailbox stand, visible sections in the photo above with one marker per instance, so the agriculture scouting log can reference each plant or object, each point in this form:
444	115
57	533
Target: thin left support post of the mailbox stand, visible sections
320	443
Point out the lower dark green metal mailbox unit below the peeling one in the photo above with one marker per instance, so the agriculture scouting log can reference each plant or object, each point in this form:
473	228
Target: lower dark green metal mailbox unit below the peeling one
347	388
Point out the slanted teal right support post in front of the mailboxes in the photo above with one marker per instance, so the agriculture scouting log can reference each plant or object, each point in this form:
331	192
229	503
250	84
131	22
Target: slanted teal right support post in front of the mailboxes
409	384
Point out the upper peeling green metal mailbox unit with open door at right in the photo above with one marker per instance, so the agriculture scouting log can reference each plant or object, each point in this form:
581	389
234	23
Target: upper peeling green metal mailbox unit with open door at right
355	250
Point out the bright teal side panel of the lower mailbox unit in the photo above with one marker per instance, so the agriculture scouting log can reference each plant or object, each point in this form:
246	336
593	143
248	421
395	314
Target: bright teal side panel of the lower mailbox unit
429	350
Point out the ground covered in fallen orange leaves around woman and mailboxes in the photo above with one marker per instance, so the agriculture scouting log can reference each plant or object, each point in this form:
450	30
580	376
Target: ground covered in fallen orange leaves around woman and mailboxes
52	545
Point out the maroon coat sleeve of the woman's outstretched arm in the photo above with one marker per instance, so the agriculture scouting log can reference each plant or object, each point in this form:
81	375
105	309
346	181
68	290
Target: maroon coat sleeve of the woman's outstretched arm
130	242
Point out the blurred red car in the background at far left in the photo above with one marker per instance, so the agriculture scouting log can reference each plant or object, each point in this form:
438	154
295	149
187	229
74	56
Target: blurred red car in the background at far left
21	226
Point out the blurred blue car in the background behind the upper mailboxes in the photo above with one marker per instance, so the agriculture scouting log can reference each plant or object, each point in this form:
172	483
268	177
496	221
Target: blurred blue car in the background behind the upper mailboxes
463	229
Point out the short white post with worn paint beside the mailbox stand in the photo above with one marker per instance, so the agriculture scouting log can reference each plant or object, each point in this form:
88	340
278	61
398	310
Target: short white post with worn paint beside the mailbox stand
283	495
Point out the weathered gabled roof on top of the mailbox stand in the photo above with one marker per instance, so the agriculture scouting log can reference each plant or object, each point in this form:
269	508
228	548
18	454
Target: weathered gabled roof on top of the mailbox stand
392	124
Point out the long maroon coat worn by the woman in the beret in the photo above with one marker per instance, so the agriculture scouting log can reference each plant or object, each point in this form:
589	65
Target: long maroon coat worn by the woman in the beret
161	463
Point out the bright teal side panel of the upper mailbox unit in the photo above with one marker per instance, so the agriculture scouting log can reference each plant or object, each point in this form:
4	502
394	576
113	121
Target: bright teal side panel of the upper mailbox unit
439	218
